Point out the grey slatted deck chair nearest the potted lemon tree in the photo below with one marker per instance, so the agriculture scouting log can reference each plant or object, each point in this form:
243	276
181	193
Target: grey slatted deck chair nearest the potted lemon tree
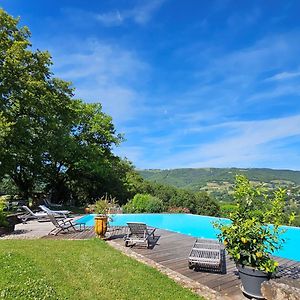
206	254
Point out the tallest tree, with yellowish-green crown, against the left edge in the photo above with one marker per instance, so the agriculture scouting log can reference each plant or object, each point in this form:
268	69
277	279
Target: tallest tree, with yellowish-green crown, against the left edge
27	106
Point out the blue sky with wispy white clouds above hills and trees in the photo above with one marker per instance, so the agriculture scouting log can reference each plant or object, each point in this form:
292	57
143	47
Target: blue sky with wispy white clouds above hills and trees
189	83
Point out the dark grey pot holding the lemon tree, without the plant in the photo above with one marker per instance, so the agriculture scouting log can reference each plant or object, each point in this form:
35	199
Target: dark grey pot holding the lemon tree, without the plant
251	281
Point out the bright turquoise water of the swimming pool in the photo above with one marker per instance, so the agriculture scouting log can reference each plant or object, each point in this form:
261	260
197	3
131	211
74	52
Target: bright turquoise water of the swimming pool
197	226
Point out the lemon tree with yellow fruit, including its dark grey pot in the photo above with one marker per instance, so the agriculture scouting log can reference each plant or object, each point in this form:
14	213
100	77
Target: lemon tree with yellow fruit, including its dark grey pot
248	238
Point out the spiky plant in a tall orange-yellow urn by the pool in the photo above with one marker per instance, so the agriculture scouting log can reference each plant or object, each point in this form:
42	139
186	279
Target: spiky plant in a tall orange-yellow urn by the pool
102	207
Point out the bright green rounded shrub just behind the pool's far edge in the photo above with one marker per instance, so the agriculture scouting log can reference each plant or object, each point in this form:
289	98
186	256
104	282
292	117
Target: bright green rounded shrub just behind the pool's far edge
144	203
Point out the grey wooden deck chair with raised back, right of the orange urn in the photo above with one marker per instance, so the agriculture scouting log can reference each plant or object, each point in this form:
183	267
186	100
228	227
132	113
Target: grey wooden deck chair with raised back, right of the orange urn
139	233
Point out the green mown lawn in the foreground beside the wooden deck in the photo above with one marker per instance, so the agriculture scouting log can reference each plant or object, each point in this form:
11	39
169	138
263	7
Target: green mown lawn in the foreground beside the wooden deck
90	269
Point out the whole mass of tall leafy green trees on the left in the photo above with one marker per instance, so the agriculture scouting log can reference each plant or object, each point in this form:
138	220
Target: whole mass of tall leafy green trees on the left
47	138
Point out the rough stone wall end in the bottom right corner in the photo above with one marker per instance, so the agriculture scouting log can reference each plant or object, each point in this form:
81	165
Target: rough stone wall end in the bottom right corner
281	290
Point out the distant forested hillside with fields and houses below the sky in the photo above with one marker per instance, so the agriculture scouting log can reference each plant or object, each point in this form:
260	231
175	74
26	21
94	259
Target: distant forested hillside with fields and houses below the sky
218	183
